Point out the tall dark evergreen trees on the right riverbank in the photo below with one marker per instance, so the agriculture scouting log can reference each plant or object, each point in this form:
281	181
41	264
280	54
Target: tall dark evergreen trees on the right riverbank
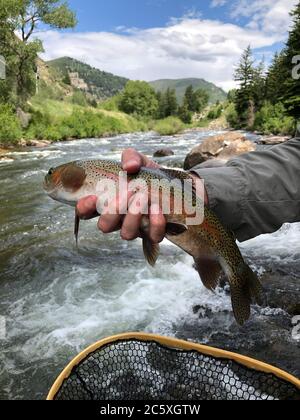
269	99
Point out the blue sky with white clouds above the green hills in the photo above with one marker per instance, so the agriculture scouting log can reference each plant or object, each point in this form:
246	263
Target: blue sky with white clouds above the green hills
153	39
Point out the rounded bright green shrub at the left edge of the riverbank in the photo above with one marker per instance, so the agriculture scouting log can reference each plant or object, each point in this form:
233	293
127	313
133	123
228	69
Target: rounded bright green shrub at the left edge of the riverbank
10	128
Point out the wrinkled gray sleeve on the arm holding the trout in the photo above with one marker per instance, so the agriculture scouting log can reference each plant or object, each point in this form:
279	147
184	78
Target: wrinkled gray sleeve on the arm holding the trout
257	192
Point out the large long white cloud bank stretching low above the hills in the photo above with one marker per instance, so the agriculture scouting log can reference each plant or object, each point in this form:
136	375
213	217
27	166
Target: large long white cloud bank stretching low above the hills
185	48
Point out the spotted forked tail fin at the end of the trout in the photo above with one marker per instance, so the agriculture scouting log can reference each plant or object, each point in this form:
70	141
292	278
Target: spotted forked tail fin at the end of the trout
243	287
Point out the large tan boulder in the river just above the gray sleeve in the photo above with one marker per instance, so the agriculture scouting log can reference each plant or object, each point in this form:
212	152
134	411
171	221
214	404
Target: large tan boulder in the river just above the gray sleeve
215	147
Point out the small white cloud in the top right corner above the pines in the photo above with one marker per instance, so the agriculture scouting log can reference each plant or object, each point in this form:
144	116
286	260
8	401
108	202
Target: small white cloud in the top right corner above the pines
271	16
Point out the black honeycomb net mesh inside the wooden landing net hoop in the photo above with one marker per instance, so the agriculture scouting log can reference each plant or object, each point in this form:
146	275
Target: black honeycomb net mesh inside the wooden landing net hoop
143	370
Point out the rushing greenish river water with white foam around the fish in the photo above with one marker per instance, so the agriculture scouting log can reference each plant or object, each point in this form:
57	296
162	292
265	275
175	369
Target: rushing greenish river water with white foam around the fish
56	300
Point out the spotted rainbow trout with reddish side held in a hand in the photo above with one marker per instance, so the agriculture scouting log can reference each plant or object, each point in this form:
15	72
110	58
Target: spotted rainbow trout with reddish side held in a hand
212	245
